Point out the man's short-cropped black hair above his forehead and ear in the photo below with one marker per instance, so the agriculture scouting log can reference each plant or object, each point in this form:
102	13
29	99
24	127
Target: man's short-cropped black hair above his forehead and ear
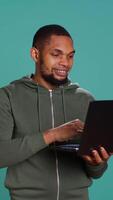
45	32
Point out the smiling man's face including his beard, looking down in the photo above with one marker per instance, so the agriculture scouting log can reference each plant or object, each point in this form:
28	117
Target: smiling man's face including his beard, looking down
55	60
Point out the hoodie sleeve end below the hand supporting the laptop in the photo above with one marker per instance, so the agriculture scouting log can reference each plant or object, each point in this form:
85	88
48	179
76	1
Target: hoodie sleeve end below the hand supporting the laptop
96	171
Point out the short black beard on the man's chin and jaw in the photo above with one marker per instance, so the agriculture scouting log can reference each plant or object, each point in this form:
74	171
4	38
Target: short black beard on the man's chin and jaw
53	81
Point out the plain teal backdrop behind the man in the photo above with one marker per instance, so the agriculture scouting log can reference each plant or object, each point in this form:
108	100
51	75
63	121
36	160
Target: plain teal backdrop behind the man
90	23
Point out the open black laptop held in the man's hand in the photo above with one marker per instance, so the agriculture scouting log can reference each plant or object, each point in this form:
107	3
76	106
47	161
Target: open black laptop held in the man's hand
98	129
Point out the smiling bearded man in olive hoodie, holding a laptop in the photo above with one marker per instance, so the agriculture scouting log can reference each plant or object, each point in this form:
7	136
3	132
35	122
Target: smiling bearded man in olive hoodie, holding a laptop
33	115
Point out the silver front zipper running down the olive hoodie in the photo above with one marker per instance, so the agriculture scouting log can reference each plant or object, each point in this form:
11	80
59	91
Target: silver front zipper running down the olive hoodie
53	125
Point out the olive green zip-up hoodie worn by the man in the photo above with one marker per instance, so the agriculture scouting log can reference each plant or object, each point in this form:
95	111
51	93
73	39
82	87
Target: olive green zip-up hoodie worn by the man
35	171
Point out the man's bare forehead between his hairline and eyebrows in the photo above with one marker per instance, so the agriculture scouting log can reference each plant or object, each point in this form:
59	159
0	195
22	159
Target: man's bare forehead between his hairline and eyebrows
63	43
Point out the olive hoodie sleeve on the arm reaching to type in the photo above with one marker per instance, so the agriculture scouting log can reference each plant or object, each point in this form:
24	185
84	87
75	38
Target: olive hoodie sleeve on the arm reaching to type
15	150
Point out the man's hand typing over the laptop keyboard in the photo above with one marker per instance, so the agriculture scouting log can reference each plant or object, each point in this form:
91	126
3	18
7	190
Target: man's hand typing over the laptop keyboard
64	132
